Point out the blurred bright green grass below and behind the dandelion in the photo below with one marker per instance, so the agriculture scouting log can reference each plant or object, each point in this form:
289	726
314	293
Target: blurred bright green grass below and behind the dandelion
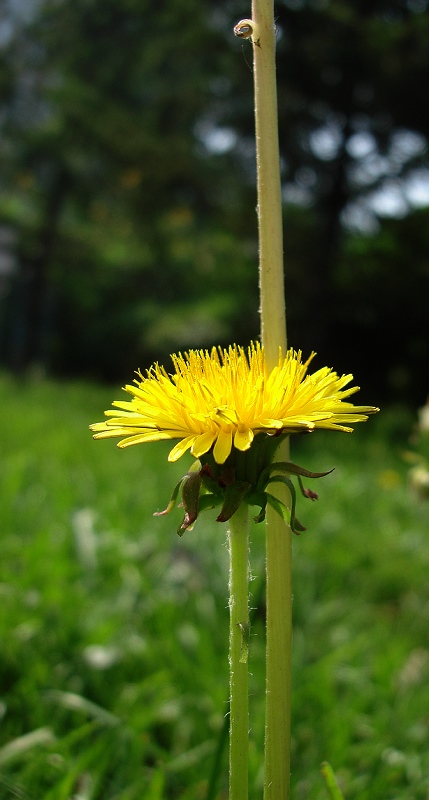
114	632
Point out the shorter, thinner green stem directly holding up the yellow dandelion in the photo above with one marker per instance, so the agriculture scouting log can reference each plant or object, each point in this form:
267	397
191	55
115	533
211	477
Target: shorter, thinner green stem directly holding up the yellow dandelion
238	654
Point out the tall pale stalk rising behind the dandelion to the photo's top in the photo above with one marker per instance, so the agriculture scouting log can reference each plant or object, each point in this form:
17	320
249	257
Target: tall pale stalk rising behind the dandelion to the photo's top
273	328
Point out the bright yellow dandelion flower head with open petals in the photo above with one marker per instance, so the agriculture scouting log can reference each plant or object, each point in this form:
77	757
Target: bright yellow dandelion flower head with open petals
221	399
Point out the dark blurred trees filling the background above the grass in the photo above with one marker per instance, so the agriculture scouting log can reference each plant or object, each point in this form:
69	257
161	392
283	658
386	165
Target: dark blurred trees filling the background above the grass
127	182
